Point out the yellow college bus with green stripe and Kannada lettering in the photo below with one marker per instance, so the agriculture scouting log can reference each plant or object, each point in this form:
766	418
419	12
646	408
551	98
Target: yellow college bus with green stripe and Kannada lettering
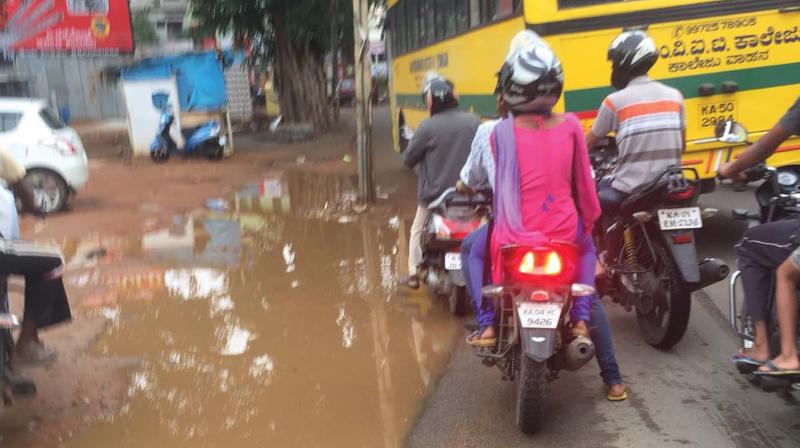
731	59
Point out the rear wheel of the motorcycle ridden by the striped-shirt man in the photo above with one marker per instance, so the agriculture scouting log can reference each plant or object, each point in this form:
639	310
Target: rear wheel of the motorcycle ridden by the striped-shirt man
665	325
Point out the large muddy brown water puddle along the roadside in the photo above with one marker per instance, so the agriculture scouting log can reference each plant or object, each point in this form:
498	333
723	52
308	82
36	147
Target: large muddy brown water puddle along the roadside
273	320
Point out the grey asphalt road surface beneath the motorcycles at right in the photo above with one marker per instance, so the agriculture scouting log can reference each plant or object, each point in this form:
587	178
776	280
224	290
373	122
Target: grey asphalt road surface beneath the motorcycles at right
688	396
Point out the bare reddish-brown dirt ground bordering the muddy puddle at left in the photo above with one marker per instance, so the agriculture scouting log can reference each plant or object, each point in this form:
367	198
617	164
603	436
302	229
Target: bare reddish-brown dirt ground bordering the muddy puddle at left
125	200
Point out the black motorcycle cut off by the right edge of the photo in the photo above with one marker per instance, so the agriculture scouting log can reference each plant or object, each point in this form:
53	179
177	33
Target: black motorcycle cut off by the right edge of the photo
778	198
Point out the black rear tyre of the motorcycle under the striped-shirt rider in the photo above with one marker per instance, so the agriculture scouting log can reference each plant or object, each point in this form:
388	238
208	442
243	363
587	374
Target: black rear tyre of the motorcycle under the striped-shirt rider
680	304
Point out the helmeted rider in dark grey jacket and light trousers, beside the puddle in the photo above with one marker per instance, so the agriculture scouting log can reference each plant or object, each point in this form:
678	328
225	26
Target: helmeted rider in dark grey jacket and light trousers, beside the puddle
440	147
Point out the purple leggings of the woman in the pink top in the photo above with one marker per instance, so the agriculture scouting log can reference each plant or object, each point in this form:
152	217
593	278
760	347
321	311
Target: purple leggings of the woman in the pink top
473	257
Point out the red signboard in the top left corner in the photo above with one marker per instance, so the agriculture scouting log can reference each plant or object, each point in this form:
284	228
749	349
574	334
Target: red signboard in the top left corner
91	27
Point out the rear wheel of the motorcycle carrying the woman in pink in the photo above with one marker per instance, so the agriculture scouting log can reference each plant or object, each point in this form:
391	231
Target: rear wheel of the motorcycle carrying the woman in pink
531	385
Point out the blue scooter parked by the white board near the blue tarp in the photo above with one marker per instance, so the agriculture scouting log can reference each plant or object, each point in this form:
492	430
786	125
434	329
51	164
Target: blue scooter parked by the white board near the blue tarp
207	139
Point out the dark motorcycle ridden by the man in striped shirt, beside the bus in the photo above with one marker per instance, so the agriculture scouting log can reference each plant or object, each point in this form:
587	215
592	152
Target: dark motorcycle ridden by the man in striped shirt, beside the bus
648	249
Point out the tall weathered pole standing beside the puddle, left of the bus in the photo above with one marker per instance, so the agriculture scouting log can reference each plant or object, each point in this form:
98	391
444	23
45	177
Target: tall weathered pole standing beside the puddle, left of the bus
363	99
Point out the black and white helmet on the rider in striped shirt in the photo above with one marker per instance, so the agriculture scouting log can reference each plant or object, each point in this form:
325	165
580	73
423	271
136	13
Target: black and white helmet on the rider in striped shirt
632	53
